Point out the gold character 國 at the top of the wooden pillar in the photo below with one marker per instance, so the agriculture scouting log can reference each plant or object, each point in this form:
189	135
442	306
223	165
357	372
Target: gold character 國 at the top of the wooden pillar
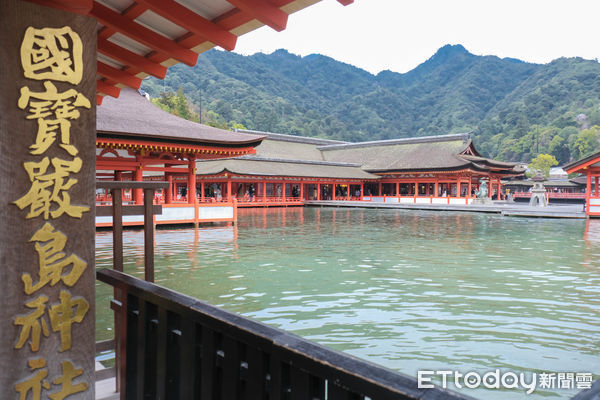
52	53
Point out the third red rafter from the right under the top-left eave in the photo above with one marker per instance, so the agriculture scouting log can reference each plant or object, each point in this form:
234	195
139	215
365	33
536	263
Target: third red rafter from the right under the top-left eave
147	37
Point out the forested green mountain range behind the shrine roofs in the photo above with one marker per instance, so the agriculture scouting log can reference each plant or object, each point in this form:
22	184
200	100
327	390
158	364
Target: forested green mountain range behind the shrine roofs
515	109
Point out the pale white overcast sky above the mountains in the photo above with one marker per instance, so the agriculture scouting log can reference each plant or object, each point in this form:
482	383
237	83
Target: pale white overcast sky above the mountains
400	34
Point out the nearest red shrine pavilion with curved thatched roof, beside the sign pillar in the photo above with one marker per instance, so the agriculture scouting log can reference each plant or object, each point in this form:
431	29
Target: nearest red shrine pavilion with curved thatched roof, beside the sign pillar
138	141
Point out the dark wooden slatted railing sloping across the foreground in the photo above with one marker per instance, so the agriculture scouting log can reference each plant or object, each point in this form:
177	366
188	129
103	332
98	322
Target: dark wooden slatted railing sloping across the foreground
178	347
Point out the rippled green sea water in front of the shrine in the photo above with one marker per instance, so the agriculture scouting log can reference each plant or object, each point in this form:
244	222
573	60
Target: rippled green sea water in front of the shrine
410	290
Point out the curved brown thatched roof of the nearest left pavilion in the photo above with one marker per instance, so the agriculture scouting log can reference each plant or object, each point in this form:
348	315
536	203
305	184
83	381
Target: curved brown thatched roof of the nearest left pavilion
132	116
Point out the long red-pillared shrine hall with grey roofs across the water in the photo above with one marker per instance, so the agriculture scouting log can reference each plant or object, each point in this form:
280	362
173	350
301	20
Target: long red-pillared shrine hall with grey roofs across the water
290	170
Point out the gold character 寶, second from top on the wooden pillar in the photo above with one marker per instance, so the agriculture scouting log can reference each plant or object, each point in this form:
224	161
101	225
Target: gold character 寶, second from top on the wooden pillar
52	110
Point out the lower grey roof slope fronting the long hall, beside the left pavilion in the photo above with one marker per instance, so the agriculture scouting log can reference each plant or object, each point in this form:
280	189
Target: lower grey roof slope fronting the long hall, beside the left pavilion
258	166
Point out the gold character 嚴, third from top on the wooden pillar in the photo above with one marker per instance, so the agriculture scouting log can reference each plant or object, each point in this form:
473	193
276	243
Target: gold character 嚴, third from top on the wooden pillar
49	188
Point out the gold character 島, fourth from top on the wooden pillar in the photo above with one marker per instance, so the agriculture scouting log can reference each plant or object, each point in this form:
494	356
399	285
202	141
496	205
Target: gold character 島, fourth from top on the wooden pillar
53	261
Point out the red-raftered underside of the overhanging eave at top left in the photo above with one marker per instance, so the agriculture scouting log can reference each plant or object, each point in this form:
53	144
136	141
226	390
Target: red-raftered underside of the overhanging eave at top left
144	37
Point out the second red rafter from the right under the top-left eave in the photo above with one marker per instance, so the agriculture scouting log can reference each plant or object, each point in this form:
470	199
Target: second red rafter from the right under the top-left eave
191	21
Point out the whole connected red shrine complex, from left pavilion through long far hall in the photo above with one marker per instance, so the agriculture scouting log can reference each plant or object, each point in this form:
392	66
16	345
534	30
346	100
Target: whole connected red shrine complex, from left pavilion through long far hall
211	171
